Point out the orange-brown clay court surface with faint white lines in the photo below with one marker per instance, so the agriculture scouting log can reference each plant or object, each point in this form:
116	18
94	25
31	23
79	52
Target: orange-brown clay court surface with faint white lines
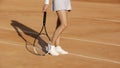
92	36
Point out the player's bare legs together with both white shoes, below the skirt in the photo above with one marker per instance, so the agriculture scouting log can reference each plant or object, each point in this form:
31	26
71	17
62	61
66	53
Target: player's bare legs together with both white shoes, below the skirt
61	25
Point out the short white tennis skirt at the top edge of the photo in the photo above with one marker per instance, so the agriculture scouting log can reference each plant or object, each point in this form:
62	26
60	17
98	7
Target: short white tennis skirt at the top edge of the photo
61	5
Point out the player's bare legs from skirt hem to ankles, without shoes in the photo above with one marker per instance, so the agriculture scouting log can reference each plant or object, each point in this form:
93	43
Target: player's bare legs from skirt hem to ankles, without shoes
61	25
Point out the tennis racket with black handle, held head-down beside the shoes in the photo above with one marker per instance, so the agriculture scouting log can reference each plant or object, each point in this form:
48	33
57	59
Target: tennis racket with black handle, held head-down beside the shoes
40	42
